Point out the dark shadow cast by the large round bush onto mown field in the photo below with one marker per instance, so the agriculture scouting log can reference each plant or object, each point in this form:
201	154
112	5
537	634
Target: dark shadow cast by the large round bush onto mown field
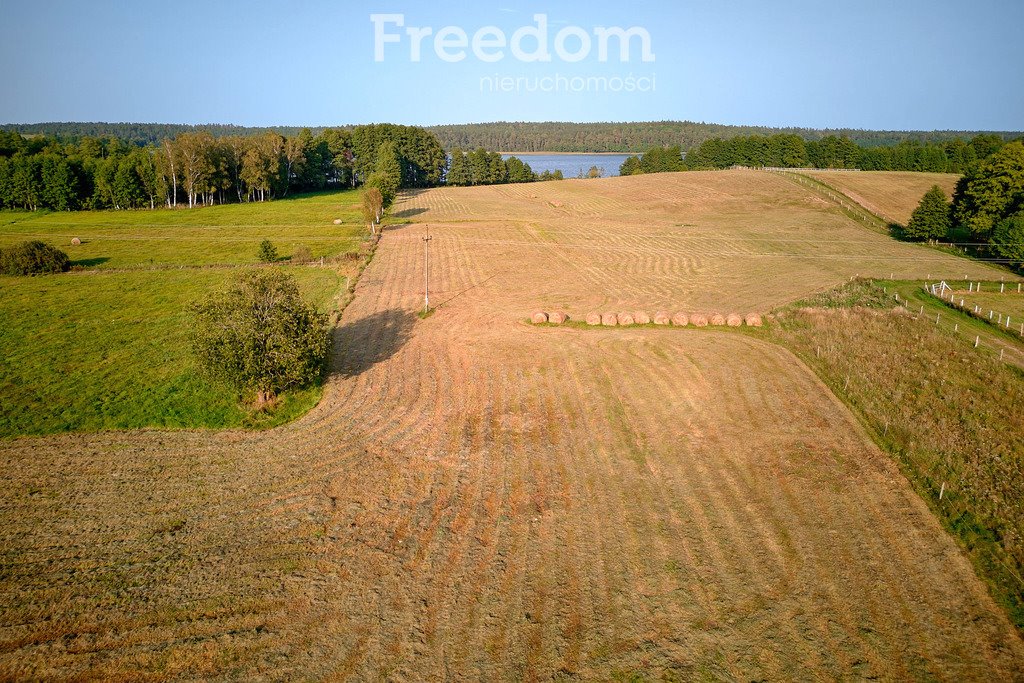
363	344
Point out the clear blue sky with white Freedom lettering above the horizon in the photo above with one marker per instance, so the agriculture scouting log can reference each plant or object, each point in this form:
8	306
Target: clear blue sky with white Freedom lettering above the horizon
859	64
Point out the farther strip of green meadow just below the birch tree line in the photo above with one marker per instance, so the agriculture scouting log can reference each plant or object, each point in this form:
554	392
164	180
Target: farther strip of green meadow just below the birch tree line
220	235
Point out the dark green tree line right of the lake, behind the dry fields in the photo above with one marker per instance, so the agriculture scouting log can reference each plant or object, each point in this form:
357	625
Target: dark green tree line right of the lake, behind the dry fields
790	151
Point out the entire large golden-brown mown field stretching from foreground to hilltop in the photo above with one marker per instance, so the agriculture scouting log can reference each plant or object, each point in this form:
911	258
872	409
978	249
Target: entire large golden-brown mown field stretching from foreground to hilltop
477	498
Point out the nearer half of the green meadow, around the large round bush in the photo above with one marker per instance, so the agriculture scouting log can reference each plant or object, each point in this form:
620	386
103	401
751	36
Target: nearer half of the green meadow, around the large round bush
96	352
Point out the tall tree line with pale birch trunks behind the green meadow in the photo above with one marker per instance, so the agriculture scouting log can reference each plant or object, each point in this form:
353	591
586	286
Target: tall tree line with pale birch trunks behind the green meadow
198	169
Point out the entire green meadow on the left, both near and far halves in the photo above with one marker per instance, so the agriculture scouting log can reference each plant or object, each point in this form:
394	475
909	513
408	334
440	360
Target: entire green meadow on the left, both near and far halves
107	349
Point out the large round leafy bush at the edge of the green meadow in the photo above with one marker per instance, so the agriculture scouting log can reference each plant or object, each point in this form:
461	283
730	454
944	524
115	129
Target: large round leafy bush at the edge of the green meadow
260	335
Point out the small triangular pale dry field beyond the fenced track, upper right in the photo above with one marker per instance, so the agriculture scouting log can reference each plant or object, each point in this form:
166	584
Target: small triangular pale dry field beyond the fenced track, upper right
892	195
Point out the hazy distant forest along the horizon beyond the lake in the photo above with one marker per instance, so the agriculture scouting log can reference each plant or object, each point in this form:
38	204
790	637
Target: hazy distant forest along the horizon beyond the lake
511	137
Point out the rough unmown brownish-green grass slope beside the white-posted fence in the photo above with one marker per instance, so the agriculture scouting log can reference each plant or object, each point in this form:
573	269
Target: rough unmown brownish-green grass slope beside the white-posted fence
949	415
